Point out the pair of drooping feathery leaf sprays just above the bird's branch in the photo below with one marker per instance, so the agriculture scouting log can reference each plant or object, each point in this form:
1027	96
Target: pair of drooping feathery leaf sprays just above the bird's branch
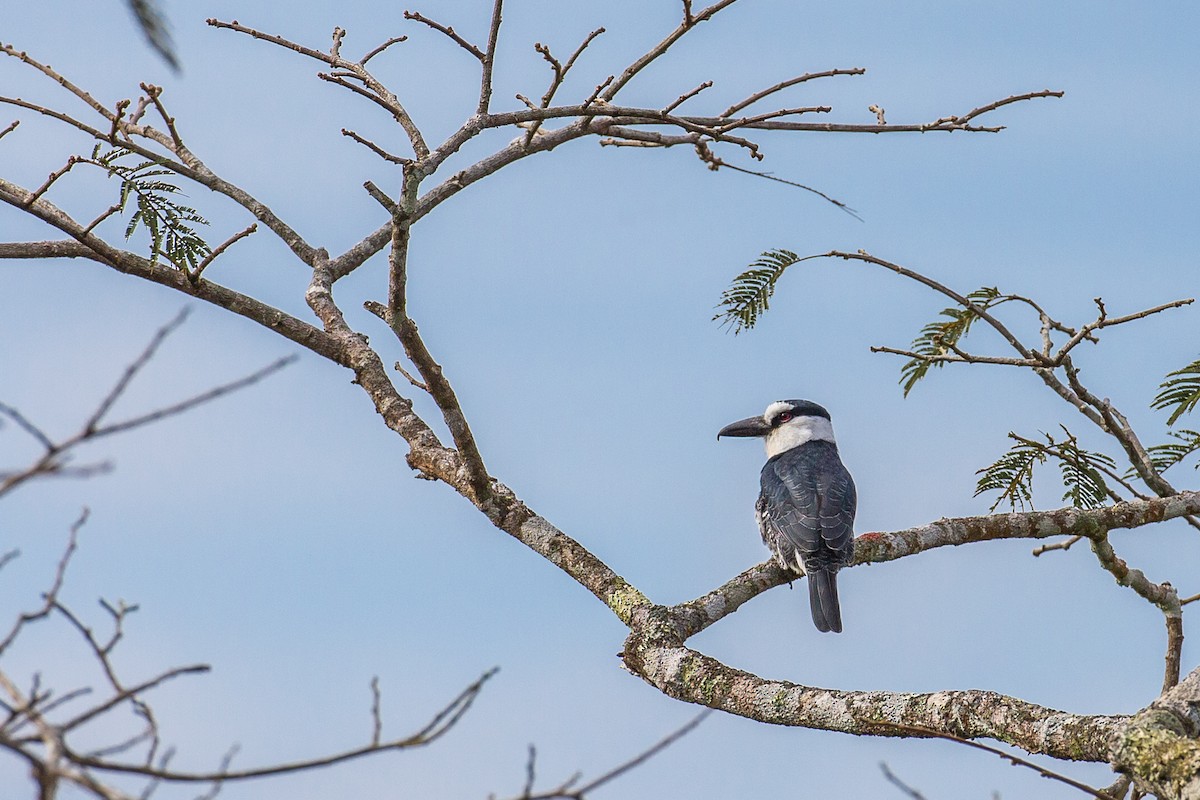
1082	471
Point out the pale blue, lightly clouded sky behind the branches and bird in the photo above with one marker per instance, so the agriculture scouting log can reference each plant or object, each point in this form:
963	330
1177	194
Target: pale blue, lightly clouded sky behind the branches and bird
279	536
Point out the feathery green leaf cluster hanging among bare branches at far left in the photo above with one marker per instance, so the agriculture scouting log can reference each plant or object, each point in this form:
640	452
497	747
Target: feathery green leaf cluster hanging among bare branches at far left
169	224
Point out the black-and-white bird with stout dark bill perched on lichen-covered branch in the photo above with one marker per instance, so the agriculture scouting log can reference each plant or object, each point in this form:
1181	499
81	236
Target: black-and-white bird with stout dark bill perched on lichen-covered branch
806	509
